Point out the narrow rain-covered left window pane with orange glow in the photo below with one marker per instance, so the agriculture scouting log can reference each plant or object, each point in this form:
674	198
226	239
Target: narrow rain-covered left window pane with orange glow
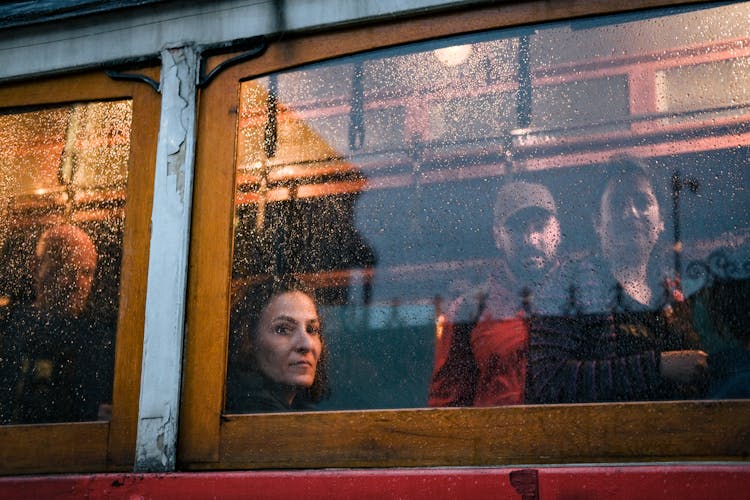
62	196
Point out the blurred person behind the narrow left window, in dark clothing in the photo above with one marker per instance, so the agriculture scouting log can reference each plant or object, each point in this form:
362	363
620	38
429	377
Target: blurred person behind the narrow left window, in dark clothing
52	359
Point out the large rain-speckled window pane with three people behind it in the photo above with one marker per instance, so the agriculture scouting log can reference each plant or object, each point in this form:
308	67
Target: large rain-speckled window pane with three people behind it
556	214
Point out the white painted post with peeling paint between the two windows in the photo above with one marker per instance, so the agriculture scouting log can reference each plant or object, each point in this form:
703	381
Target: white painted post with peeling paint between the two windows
161	371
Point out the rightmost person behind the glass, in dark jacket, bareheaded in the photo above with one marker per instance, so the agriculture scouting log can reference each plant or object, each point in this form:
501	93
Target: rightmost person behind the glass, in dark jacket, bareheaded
628	341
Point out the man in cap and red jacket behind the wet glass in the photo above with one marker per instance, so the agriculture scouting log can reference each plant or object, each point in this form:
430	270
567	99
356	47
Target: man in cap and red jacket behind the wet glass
481	348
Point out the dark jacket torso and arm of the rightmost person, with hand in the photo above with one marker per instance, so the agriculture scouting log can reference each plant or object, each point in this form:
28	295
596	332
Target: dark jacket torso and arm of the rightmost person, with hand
631	356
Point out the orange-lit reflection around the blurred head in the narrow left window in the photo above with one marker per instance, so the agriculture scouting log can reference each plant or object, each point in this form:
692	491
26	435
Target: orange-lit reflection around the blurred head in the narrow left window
66	163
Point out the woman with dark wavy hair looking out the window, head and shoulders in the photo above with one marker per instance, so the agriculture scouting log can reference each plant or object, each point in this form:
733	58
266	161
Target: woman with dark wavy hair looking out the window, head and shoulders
277	361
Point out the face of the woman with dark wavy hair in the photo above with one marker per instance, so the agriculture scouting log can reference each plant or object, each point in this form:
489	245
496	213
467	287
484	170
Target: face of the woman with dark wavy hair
287	344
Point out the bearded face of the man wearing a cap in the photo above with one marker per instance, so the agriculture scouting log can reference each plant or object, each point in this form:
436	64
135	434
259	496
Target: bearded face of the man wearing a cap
529	239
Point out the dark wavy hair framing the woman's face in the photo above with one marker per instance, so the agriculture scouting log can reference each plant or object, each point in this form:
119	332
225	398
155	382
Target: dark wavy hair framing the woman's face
246	313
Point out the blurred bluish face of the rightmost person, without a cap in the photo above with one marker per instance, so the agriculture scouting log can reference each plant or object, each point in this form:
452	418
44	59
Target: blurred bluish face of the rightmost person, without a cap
629	220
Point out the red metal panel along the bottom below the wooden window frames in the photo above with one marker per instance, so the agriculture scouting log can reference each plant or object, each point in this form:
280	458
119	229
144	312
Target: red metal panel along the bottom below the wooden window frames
685	482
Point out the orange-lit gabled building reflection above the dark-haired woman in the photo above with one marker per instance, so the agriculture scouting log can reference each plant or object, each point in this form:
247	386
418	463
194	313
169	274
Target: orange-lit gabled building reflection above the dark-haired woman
295	198
